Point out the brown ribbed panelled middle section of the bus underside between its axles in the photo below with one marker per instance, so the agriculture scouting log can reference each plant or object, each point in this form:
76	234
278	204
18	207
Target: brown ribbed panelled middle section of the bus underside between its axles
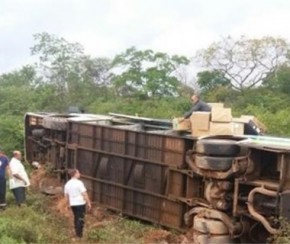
126	170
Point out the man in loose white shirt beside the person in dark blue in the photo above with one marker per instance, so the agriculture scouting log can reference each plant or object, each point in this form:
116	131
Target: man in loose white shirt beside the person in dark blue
19	178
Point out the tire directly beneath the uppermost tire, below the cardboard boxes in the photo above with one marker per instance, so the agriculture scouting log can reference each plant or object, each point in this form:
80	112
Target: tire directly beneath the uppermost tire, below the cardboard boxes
214	163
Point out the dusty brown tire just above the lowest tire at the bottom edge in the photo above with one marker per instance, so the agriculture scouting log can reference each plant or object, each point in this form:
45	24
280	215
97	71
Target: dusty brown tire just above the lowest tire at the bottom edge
209	226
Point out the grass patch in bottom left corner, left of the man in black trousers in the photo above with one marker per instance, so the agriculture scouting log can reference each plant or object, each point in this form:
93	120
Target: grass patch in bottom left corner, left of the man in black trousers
33	223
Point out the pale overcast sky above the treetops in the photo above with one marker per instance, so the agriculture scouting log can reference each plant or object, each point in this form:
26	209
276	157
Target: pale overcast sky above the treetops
108	27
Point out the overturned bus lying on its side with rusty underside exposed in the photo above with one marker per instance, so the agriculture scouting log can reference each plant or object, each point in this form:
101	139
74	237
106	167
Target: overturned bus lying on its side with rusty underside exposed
222	188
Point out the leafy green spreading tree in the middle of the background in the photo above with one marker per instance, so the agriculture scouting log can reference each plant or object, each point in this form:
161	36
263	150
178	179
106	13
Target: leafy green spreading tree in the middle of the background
146	73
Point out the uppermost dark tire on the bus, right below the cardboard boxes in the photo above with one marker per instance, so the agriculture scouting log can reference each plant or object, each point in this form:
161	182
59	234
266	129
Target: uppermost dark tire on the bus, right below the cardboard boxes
217	147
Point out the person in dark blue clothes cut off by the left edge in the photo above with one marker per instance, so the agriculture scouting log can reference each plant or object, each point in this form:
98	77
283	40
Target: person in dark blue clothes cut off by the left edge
4	162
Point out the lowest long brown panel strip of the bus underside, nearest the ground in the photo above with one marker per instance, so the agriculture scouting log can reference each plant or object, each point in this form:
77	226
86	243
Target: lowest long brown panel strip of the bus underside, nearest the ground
142	205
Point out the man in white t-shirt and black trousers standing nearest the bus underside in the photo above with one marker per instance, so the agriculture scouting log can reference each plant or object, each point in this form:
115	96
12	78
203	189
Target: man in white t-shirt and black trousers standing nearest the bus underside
77	198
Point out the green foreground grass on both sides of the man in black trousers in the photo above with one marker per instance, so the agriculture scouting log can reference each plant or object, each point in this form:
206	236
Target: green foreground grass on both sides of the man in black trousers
37	222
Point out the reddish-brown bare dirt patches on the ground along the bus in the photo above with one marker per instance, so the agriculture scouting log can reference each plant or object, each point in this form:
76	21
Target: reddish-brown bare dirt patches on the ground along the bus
98	217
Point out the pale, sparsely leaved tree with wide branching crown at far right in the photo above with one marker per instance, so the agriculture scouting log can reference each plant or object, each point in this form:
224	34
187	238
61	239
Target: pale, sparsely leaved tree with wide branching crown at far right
246	62
